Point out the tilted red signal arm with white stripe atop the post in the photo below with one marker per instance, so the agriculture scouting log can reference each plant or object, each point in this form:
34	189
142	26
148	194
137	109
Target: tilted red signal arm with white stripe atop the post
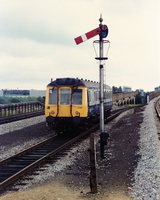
87	35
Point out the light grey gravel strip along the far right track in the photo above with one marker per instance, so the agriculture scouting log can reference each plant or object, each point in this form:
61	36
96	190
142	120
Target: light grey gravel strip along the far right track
147	174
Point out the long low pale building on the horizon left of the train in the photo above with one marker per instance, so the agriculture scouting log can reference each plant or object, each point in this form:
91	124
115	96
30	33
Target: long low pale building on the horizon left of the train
22	93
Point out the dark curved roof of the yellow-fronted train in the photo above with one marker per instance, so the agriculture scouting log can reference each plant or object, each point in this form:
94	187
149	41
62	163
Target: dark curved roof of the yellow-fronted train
73	82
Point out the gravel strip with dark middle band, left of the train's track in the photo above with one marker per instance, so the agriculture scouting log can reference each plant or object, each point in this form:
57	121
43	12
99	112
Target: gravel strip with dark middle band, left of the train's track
20	135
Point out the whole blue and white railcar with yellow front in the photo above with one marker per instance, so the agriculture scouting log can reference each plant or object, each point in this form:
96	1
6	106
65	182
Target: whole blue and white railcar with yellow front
71	103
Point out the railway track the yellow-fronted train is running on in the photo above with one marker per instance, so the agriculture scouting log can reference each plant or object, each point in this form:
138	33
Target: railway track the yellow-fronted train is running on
16	166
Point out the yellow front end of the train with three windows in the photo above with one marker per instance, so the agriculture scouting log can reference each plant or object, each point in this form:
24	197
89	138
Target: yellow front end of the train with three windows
65	104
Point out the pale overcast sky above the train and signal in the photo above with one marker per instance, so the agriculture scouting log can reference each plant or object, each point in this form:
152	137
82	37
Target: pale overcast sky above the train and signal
37	42
